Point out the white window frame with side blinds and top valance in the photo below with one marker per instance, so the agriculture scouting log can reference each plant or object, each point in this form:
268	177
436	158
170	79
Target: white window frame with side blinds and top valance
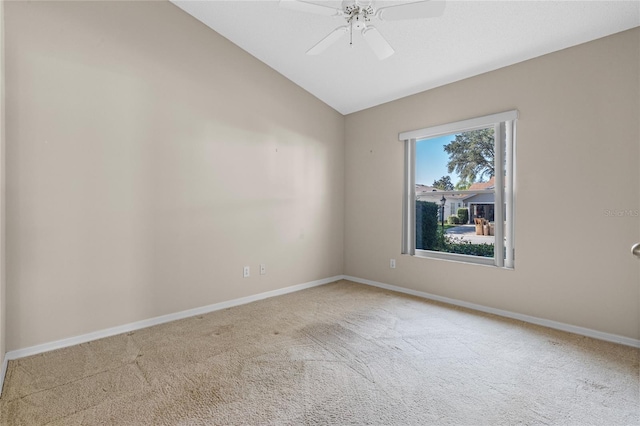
504	124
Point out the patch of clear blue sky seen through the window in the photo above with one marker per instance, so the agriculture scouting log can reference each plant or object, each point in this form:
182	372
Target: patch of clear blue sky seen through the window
431	160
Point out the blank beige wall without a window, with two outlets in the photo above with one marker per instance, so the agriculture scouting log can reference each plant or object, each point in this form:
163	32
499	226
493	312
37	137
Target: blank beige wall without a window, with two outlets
149	159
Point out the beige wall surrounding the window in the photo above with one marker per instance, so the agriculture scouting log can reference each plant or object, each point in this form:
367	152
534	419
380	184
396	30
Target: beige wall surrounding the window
577	153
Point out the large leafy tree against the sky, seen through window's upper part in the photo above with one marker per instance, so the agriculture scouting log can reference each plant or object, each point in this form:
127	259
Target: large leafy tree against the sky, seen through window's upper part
471	155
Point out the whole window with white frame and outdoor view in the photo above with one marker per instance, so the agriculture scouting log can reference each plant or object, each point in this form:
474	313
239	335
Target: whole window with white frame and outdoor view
459	186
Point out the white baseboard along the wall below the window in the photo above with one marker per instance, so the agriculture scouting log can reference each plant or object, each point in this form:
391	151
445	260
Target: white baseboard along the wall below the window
627	341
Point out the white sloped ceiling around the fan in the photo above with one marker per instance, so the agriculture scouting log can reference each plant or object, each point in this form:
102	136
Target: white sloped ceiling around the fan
470	38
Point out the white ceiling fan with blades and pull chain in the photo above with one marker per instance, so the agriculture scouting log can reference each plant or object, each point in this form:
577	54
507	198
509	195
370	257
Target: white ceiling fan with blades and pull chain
358	14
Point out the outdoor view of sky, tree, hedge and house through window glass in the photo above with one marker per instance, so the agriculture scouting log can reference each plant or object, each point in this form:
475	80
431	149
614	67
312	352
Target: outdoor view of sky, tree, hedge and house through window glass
455	197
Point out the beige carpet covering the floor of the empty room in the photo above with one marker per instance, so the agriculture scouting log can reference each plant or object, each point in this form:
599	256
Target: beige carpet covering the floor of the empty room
339	354
